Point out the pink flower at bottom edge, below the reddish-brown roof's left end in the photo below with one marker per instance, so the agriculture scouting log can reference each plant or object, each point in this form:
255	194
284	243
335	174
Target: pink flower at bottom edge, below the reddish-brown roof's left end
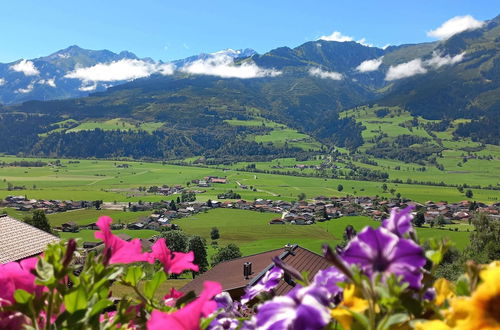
189	316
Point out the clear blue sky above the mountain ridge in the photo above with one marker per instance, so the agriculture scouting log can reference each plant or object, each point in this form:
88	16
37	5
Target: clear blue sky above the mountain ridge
167	30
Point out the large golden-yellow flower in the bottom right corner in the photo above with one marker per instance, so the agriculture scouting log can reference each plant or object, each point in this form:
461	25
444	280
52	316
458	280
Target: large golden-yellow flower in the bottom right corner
482	309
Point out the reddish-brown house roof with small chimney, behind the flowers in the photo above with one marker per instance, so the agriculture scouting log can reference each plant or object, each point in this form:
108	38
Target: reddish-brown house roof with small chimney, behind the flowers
233	277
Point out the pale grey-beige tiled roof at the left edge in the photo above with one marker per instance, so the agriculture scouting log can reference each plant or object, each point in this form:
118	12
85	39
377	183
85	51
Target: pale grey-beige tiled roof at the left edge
19	240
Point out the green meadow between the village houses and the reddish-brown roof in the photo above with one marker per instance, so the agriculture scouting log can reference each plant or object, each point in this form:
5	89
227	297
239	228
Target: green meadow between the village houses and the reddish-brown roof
253	234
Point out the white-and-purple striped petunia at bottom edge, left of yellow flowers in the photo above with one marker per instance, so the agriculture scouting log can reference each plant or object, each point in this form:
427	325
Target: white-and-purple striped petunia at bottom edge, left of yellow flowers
303	308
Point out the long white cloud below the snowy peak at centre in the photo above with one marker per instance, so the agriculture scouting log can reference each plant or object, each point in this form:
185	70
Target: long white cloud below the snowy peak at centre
223	66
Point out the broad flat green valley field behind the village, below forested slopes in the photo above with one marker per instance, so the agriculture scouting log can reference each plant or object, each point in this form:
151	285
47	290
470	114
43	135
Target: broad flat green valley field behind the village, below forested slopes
102	179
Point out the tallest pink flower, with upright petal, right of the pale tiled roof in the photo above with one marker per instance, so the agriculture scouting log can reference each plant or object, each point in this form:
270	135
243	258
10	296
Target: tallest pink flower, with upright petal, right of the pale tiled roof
122	252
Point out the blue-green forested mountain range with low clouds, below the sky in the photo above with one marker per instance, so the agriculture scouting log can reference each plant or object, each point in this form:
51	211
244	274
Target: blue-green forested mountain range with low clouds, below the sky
305	88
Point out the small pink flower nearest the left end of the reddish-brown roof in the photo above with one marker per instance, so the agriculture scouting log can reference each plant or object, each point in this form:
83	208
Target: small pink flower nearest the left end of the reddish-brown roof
176	262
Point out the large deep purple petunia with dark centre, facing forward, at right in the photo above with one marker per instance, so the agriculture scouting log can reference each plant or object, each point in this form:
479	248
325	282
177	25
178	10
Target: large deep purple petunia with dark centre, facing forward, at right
380	251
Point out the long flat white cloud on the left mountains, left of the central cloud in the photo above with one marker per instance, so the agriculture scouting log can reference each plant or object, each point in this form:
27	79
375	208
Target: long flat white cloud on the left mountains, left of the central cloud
126	69
